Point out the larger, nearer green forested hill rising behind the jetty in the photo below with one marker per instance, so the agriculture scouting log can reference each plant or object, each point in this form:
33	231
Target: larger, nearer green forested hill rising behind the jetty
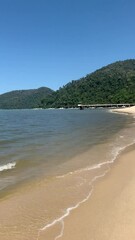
114	83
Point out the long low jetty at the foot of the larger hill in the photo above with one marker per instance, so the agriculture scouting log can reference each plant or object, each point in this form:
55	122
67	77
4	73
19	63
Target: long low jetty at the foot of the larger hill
109	105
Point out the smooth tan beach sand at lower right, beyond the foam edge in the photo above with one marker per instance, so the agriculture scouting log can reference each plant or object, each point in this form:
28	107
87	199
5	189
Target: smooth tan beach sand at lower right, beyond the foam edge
110	211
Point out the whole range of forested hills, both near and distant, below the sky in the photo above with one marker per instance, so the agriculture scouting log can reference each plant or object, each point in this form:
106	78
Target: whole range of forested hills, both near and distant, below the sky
114	83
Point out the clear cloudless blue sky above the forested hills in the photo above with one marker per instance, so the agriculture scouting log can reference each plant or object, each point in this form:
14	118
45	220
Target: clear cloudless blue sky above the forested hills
51	42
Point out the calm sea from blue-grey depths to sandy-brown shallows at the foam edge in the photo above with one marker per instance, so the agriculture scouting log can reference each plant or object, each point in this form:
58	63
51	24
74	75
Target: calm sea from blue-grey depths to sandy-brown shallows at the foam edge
49	161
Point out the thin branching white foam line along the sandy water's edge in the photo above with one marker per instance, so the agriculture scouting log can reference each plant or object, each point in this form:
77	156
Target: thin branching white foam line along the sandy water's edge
60	220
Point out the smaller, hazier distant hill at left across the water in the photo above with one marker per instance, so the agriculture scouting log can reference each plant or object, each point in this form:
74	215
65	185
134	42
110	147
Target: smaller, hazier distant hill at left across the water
21	99
